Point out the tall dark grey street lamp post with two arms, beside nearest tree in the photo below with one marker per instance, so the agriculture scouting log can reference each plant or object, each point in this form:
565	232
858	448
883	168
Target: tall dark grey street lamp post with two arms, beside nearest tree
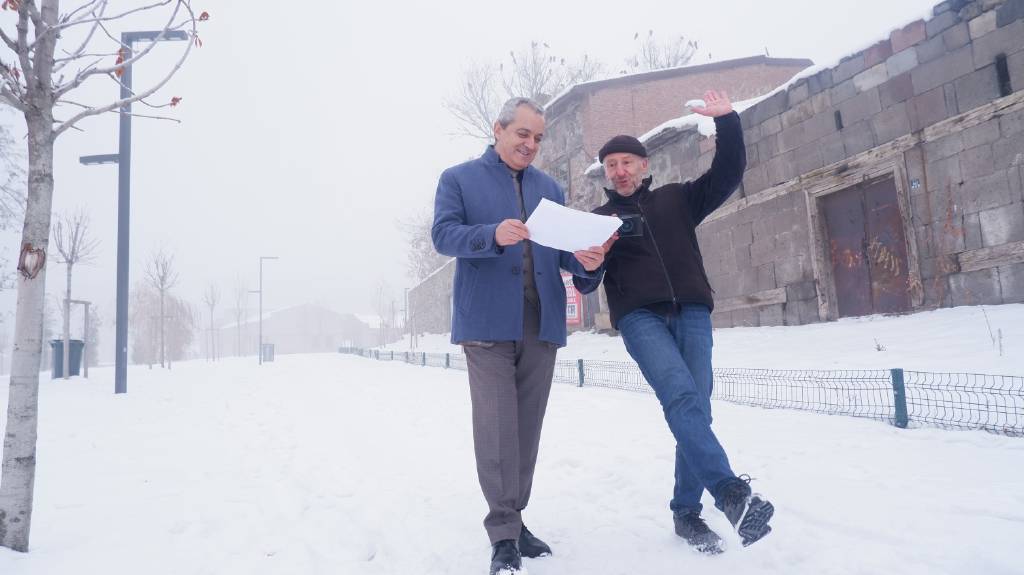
123	160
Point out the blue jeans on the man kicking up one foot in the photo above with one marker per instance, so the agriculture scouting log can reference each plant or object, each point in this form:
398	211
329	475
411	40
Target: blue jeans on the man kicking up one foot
674	355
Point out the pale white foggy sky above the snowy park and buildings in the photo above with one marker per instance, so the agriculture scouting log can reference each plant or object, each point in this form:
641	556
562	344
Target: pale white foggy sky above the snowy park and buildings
310	128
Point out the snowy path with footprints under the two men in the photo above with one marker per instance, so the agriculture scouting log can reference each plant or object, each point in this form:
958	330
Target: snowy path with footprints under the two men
339	465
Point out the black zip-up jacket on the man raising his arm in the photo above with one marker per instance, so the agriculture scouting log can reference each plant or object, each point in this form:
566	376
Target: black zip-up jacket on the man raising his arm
664	269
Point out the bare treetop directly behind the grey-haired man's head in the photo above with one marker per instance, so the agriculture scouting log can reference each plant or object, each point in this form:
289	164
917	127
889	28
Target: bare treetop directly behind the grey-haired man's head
534	72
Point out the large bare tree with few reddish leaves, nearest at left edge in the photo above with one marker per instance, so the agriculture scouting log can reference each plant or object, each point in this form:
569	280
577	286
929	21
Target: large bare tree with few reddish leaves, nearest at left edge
39	81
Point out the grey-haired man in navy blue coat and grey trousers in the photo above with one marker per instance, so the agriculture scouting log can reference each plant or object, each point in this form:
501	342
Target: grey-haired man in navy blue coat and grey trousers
509	314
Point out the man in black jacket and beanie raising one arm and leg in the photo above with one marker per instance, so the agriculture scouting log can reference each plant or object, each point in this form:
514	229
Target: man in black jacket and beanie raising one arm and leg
661	301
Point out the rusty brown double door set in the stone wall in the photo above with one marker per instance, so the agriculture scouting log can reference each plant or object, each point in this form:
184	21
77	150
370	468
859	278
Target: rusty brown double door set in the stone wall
868	250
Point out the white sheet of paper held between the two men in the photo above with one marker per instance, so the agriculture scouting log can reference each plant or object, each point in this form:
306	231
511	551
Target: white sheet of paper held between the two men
565	229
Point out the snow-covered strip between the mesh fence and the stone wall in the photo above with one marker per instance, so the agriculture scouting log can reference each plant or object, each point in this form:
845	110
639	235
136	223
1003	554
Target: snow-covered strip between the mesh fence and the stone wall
955	340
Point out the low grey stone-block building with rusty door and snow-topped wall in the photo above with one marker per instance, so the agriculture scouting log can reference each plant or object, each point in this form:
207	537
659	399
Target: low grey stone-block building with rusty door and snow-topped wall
891	183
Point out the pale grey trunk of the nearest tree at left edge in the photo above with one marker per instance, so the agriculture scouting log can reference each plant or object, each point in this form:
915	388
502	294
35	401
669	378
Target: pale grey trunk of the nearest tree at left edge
19	472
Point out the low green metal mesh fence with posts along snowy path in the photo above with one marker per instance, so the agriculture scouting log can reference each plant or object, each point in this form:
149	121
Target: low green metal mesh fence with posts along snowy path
995	404
